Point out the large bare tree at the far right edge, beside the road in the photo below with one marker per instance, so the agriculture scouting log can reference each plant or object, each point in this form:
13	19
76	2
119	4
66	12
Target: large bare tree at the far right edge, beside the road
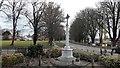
111	14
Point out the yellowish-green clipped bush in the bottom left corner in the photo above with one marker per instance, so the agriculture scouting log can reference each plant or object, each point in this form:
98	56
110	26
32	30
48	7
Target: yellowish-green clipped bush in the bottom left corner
12	59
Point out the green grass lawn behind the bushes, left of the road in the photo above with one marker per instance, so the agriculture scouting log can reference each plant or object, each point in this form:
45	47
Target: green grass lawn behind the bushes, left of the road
24	44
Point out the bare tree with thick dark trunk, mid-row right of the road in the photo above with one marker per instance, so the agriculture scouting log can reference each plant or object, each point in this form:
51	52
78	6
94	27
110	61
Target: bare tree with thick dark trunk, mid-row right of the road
90	18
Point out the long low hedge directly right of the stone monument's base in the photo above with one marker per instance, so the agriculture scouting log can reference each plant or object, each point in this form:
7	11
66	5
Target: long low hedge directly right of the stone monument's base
84	55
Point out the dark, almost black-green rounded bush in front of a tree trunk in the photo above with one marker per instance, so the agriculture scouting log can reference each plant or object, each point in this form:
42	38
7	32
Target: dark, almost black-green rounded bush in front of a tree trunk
35	50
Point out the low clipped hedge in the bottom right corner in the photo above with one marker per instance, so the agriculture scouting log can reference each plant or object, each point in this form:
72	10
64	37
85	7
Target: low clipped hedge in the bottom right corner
110	61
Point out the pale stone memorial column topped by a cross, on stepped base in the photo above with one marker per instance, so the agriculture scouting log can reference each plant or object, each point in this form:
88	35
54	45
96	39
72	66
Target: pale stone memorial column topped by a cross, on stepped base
67	52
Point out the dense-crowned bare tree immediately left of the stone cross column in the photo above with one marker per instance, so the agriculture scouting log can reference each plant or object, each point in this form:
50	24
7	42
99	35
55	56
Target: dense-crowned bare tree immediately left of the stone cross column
52	17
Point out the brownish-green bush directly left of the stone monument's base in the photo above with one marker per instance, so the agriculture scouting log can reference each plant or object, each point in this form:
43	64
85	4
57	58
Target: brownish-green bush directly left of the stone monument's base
54	53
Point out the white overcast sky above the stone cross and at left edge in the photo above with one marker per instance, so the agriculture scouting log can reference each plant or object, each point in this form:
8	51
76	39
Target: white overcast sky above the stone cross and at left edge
70	7
